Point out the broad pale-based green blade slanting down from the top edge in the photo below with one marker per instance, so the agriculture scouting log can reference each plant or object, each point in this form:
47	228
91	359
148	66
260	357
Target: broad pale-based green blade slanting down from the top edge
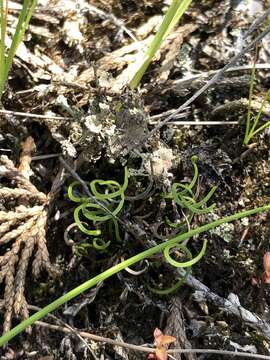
173	15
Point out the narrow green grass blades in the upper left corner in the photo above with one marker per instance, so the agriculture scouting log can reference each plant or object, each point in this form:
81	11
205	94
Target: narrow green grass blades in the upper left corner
6	56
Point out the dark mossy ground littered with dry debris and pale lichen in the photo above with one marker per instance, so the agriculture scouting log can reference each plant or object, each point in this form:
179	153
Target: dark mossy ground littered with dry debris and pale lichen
75	63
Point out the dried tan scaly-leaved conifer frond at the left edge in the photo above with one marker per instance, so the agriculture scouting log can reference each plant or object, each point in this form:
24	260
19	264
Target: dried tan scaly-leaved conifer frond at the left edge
23	219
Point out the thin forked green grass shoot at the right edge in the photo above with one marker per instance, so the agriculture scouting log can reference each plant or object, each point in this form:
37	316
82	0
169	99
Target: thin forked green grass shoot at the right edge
252	127
